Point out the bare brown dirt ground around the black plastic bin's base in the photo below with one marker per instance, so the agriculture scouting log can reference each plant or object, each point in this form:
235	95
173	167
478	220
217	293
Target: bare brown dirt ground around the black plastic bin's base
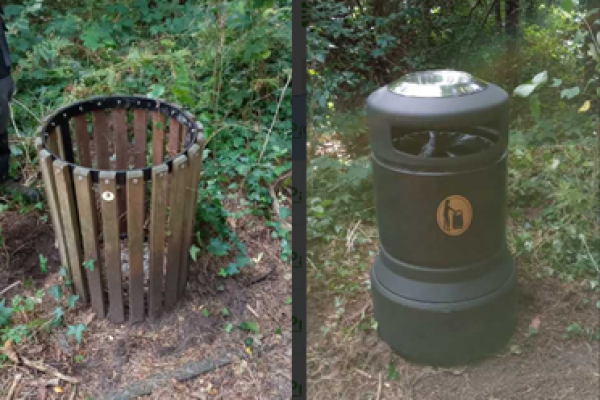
349	363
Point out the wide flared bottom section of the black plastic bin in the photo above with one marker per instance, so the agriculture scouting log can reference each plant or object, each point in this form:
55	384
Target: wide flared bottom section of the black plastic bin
446	333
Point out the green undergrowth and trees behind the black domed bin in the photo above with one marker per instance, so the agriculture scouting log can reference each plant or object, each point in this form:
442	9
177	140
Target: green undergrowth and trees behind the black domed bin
554	144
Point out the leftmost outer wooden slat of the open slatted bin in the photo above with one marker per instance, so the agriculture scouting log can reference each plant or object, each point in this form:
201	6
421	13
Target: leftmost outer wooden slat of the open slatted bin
45	160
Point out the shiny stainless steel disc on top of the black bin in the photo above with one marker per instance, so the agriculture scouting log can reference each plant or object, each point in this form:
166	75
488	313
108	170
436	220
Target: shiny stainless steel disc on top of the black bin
437	84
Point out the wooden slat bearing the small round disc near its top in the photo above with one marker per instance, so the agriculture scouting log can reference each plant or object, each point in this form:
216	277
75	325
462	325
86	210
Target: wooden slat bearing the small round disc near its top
112	245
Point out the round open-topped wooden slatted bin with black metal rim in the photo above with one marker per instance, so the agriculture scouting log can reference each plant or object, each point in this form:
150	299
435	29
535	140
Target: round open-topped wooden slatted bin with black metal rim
121	175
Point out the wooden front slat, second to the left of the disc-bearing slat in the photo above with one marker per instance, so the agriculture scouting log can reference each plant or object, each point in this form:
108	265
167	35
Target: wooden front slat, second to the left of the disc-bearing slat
68	212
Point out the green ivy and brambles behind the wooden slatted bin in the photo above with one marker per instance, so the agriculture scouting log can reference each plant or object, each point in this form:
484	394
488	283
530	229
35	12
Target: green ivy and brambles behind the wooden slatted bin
210	57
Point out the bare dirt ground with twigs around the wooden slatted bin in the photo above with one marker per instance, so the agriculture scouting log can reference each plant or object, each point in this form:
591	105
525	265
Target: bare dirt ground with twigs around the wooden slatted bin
112	358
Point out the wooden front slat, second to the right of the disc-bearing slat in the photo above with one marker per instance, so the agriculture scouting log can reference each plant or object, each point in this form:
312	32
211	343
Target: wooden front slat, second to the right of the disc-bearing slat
158	215
